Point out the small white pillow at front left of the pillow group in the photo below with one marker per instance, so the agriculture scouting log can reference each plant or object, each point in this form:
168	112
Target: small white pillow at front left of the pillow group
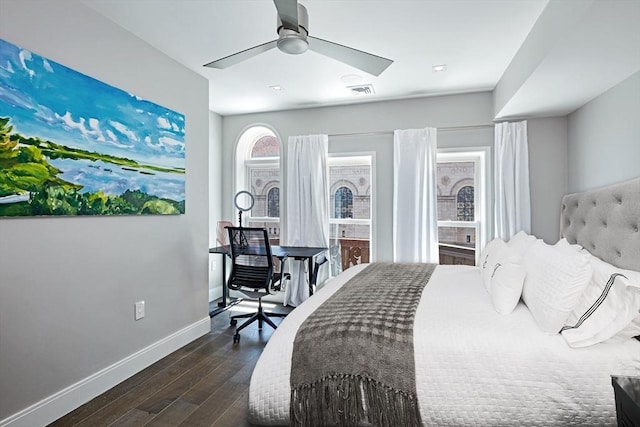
502	275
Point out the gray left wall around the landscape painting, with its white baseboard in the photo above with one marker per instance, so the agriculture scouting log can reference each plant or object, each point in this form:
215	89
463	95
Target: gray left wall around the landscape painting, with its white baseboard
68	284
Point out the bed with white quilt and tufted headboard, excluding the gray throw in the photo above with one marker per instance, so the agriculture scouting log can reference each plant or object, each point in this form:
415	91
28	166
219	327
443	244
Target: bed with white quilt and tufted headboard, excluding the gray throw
476	366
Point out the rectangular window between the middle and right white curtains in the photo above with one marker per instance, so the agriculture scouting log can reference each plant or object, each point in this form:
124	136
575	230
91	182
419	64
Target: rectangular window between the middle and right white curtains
461	181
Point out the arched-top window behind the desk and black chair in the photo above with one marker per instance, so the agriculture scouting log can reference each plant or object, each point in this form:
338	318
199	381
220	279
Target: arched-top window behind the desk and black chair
258	171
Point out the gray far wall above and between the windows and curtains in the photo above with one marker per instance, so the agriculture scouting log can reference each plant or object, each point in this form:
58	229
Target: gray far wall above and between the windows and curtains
455	110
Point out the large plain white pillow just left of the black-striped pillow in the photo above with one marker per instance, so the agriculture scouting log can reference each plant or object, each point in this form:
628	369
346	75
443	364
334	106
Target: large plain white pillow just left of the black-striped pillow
555	280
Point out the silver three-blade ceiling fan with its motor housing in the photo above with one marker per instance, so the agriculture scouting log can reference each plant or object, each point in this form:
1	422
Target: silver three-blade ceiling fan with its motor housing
294	38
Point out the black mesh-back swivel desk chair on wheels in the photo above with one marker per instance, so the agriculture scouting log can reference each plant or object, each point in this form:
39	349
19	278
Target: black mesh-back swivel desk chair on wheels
253	273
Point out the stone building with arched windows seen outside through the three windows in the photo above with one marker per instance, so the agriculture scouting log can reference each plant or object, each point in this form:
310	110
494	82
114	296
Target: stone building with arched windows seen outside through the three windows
350	199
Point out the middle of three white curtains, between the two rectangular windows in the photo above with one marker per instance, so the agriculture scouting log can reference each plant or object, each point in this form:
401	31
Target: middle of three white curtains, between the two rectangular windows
415	215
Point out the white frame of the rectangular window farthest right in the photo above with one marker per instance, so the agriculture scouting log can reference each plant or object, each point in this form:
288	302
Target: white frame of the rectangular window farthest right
481	158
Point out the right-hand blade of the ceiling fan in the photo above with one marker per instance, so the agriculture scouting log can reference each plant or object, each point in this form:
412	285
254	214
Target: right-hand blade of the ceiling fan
364	61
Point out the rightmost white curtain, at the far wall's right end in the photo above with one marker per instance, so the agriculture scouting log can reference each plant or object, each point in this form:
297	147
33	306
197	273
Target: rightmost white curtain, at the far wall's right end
512	200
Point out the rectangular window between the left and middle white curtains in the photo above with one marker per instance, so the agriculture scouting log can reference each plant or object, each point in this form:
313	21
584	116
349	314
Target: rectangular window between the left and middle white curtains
351	186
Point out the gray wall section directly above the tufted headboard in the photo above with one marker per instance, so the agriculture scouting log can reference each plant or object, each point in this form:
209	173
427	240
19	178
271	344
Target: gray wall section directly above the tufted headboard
604	138
